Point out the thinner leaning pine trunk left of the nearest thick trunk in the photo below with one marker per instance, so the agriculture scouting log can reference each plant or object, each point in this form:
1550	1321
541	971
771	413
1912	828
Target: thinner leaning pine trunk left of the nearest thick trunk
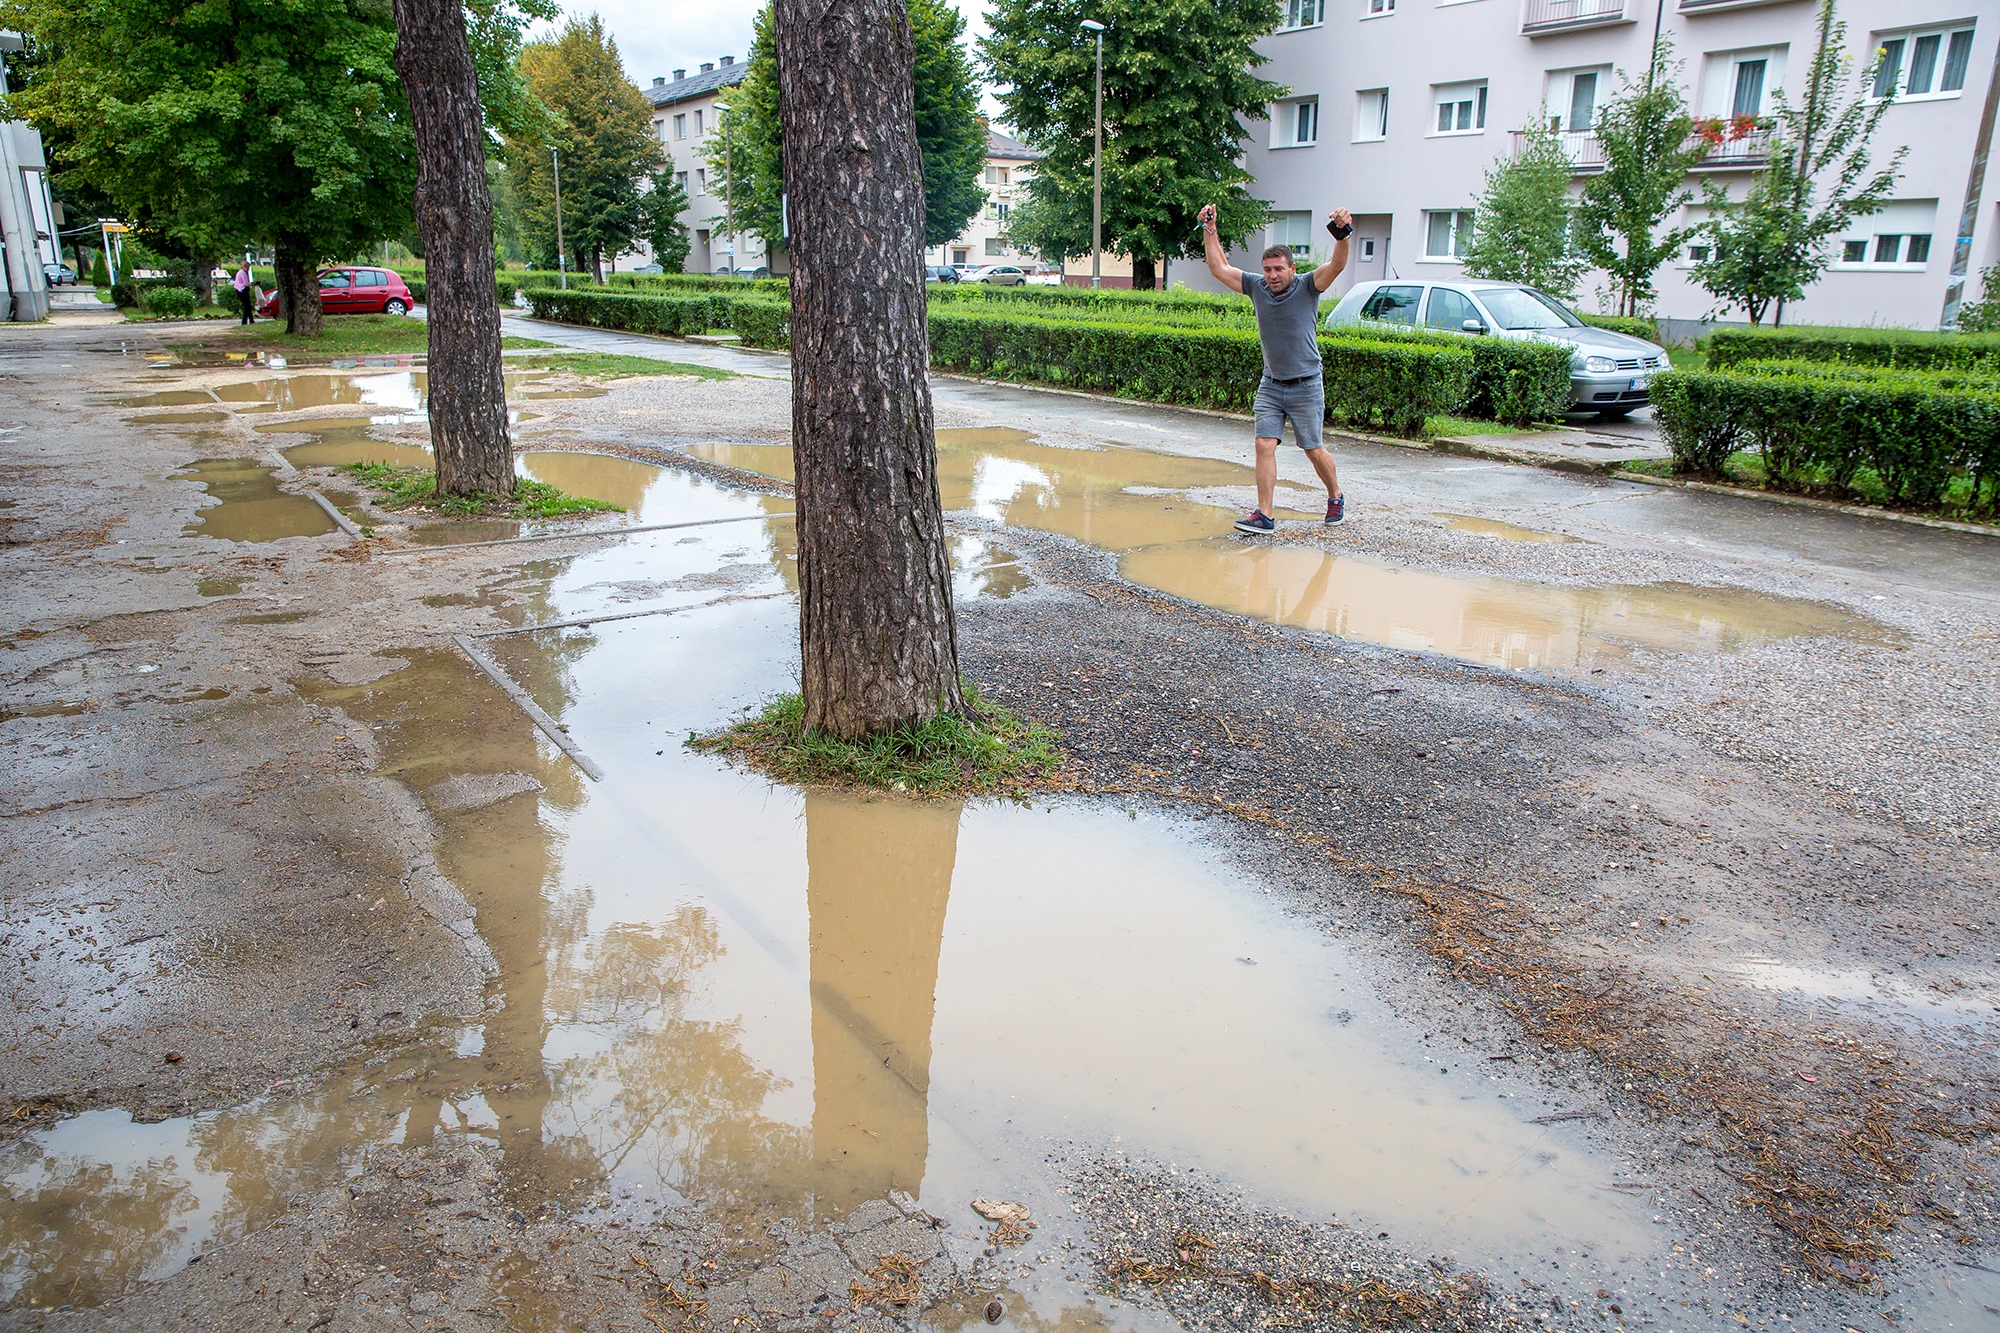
455	219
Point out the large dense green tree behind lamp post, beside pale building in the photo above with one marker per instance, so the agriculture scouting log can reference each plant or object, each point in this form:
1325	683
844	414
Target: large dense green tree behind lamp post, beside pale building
1177	89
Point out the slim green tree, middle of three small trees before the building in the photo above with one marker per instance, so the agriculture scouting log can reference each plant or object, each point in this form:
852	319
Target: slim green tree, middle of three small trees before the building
1649	149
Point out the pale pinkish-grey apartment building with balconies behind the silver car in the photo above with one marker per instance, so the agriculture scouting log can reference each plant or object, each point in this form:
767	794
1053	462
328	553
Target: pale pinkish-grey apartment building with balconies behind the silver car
1399	107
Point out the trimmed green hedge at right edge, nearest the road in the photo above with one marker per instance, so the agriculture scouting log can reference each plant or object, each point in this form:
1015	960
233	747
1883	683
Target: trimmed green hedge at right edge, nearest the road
1915	433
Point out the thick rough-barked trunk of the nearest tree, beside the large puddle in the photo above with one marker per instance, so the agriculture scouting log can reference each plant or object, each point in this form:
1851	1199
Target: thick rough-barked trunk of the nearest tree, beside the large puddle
875	587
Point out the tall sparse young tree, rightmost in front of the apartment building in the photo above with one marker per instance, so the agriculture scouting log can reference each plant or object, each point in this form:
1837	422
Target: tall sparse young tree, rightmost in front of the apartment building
1775	243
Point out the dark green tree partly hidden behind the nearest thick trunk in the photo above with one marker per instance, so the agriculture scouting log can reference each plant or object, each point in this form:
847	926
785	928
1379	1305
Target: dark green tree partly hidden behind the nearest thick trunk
949	129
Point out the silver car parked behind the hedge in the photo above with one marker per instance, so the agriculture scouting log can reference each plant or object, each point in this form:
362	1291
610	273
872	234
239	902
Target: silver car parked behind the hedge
1609	371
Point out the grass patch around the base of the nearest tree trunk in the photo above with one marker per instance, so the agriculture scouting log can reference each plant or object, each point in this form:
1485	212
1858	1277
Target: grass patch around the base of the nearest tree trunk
981	754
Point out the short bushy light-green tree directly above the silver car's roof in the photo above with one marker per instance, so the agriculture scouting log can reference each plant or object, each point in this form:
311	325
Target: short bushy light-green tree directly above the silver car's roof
1525	219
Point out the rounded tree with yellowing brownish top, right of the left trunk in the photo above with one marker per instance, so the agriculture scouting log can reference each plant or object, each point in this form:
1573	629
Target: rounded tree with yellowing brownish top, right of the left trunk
603	127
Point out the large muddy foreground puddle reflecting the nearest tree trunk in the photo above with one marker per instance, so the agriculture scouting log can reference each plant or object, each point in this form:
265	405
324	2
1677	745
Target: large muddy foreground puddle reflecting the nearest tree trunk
719	990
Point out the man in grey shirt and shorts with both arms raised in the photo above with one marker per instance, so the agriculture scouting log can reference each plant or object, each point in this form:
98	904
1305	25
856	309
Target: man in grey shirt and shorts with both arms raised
1289	329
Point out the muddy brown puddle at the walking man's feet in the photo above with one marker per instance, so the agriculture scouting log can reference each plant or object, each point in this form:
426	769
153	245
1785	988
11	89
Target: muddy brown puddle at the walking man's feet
1137	503
